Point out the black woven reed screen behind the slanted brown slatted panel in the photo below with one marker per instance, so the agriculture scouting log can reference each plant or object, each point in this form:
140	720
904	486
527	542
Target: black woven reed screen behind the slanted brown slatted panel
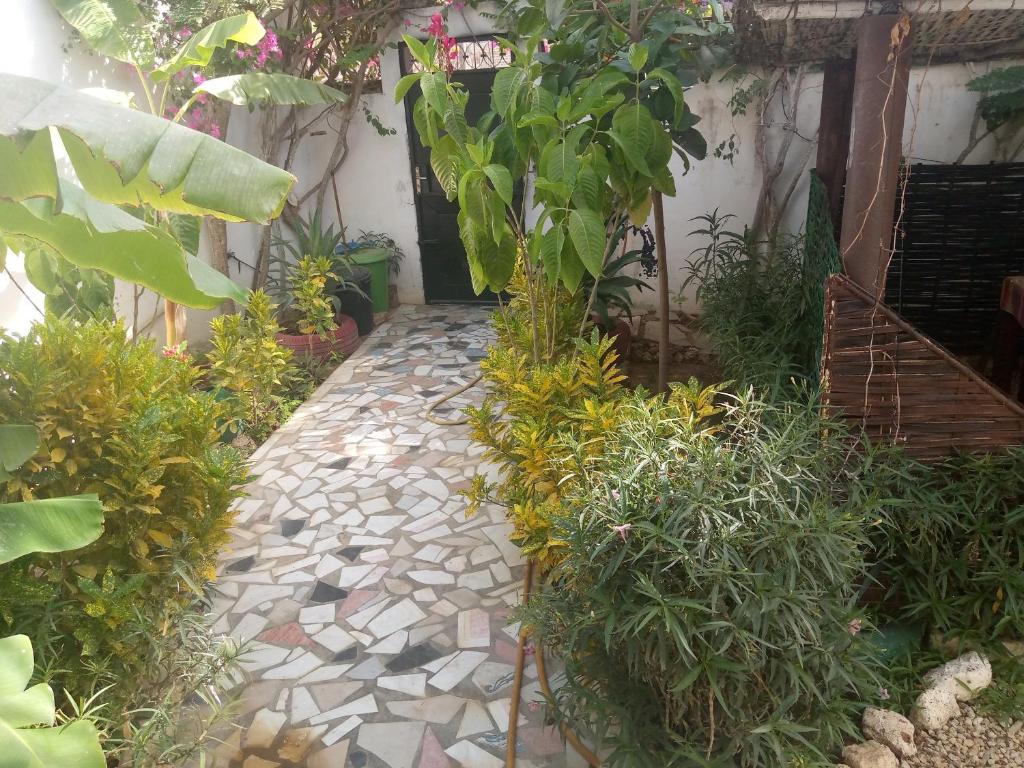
962	233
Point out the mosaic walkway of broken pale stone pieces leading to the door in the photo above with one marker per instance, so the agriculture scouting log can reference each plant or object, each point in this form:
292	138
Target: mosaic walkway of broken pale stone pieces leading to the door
377	614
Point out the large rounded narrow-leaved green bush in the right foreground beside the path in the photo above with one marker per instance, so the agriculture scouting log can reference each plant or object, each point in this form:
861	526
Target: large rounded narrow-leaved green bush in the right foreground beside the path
706	602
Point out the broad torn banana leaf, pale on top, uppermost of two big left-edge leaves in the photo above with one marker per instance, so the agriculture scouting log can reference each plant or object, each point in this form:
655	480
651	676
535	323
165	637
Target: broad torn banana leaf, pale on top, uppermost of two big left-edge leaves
127	157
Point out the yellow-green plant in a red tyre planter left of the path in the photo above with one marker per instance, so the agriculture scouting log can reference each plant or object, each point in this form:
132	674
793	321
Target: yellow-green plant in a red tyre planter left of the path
313	324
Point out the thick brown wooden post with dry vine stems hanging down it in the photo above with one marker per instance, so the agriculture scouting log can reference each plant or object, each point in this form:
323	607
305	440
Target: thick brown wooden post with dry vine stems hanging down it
873	179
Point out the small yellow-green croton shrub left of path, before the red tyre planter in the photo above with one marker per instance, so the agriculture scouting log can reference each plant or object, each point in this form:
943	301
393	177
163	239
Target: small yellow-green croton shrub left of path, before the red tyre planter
248	362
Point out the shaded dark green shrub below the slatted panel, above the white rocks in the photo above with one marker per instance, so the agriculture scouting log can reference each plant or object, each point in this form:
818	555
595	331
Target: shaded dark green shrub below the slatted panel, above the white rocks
954	554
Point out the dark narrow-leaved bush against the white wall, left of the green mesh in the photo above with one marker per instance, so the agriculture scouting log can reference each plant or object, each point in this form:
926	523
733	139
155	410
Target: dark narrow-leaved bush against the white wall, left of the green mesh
759	309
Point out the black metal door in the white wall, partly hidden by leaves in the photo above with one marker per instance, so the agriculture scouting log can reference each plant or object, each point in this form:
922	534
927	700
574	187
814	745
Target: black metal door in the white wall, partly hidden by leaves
446	273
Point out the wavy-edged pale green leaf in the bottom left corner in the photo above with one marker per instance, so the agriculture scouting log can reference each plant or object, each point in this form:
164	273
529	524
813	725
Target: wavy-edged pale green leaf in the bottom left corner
23	745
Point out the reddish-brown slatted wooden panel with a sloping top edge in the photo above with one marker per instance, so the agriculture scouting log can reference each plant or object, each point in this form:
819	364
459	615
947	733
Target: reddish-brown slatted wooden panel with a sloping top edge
881	374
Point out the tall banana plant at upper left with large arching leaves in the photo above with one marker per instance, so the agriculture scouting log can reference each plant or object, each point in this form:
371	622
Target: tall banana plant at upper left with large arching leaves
126	158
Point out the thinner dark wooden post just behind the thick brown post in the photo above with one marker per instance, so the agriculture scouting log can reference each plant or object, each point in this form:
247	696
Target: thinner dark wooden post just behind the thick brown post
834	133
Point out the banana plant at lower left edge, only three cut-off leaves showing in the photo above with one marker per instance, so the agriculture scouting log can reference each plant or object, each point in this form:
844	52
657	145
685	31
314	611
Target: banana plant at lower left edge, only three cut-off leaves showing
28	739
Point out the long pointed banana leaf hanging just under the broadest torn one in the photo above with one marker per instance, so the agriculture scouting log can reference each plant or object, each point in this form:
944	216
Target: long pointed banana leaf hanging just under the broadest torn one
99	236
